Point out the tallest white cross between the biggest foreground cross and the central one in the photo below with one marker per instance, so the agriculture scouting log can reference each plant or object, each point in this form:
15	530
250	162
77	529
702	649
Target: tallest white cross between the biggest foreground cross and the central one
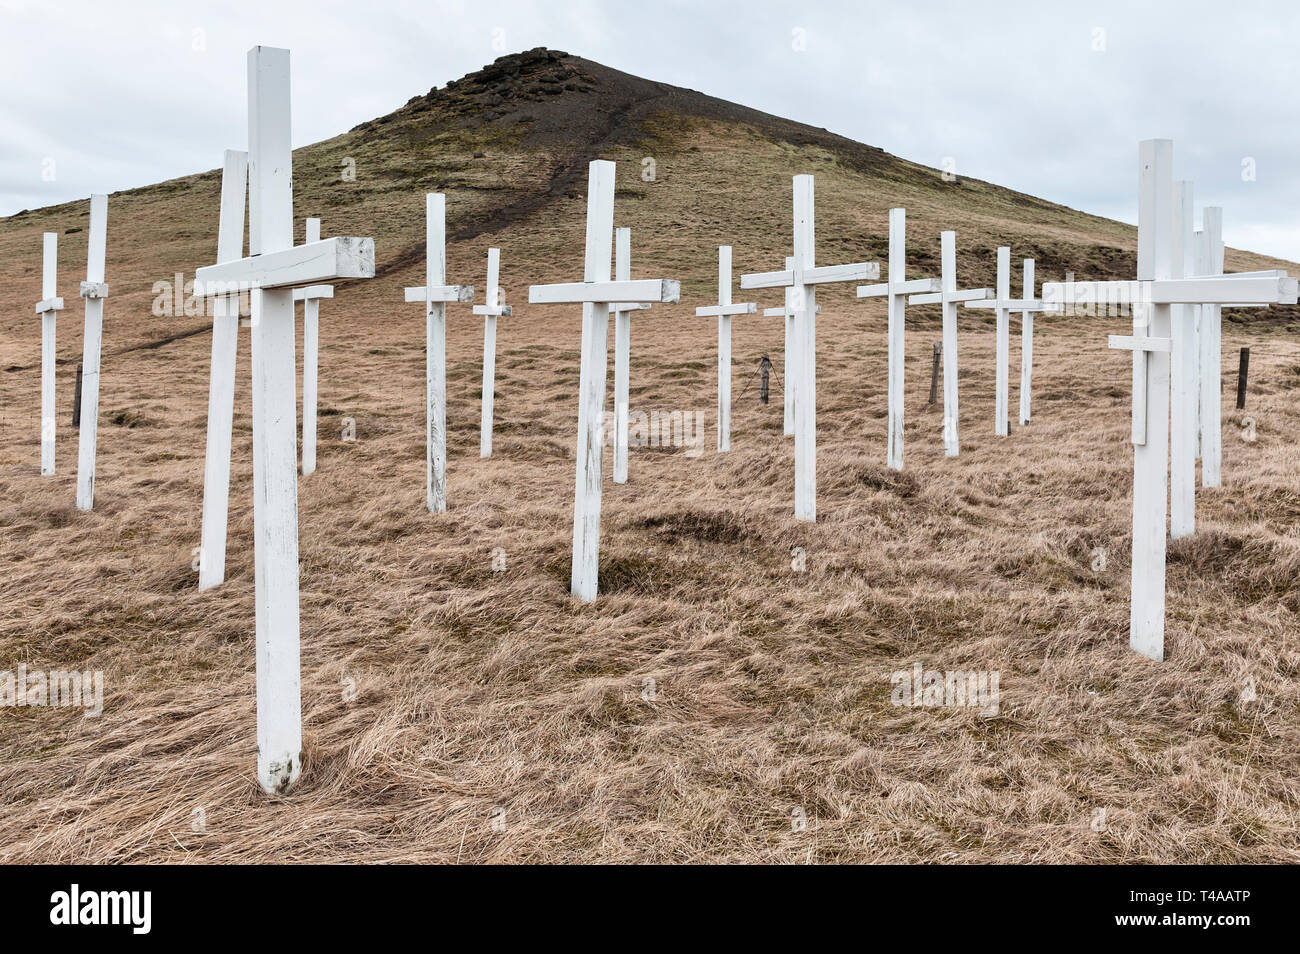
436	294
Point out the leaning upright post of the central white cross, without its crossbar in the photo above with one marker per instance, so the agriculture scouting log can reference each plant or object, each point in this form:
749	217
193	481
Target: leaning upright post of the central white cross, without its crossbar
592	378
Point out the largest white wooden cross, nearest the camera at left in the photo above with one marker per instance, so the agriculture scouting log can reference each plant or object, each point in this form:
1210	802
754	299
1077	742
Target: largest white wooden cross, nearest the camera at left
272	272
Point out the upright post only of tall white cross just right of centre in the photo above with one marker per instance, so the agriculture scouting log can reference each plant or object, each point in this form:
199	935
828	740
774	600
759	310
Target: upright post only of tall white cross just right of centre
805	353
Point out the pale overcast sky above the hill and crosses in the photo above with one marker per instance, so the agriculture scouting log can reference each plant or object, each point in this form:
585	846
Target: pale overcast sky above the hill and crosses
109	96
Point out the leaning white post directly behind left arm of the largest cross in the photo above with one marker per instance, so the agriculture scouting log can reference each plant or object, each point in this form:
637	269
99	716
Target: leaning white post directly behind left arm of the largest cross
222	381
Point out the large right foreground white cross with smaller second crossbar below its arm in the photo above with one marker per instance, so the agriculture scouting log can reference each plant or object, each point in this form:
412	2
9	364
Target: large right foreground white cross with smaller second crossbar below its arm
1152	298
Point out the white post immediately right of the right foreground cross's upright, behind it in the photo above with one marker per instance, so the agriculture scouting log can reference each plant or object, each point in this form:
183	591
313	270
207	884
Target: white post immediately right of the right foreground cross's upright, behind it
1182	436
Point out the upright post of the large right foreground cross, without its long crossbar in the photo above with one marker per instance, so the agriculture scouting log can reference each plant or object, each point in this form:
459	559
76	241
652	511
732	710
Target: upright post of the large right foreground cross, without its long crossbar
1151	457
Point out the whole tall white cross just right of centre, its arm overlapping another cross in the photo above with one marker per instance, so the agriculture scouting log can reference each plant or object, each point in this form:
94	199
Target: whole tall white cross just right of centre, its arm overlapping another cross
804	276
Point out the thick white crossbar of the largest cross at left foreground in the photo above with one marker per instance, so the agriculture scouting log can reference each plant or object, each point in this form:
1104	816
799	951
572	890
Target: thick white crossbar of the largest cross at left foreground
298	266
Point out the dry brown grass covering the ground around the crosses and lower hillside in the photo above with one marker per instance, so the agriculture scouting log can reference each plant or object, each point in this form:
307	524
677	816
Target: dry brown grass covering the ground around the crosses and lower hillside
482	692
